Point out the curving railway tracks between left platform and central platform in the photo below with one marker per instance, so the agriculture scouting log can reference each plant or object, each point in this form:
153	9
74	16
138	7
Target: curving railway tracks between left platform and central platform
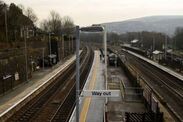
56	102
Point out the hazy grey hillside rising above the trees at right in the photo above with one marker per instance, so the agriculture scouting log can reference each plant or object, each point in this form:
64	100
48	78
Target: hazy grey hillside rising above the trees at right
164	24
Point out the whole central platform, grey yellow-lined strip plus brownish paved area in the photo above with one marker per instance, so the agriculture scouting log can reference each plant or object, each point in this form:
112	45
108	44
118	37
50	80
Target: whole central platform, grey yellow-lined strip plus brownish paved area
93	109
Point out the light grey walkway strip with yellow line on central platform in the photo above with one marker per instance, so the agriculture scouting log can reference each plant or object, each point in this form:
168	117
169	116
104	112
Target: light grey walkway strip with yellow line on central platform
92	109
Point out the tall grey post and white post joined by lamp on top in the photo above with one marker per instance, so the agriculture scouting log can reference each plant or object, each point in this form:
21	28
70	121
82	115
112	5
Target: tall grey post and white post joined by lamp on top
90	29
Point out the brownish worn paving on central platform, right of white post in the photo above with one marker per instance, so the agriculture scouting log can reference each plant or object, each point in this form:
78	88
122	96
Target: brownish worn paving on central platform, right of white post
116	107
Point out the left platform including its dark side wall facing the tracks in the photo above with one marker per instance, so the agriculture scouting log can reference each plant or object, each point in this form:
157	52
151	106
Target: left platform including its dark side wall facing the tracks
10	101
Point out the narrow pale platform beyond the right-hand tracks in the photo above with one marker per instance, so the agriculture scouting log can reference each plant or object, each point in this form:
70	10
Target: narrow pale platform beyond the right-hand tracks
173	73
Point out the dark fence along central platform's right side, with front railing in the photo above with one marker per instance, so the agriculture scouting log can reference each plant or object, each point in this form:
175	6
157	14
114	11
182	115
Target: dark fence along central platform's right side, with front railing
146	92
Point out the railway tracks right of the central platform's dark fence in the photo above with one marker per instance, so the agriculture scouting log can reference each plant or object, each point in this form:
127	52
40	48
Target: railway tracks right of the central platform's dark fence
167	86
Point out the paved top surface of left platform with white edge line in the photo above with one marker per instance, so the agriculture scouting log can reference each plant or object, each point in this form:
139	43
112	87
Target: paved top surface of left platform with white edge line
39	78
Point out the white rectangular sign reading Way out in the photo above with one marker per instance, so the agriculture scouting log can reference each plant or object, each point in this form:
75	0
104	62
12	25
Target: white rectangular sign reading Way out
101	93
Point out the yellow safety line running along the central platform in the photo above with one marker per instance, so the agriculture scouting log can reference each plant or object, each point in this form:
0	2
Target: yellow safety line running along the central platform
87	100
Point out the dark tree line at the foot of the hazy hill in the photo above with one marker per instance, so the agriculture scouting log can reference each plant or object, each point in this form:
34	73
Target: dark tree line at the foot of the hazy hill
149	40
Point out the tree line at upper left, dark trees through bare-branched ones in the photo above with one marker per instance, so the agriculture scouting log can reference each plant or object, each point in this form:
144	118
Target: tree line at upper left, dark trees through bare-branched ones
16	17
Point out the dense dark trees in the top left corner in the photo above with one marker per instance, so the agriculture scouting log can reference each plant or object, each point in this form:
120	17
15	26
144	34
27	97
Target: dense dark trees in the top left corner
12	20
